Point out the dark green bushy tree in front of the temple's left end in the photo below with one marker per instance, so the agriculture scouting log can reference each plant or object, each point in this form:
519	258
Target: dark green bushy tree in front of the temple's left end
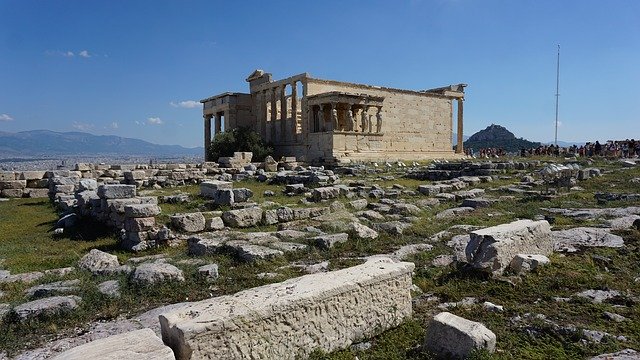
239	139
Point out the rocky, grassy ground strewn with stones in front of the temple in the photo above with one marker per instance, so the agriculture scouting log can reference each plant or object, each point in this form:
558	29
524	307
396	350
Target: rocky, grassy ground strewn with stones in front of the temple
579	300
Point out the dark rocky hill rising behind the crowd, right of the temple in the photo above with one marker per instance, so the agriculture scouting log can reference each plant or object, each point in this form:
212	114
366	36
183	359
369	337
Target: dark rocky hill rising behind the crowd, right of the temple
496	136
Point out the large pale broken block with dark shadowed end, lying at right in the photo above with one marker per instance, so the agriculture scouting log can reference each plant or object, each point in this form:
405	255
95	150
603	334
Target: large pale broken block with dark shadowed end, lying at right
493	248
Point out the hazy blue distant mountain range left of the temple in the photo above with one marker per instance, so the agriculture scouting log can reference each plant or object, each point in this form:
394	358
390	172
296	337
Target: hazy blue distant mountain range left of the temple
51	143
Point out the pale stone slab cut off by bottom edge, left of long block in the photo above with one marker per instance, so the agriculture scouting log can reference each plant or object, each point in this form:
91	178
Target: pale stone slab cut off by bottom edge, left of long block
135	345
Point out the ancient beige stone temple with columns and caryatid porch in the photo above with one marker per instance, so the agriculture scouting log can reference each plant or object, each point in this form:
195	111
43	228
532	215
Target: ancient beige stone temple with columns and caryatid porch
326	121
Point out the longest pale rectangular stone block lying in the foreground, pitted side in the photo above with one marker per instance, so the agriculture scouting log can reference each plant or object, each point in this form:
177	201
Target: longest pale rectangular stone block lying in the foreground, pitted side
288	320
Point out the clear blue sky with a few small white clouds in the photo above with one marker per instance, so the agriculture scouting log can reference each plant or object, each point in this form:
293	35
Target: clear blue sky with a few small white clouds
135	68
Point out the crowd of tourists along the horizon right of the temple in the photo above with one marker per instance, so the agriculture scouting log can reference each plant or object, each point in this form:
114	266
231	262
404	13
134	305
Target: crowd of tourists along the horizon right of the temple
621	149
